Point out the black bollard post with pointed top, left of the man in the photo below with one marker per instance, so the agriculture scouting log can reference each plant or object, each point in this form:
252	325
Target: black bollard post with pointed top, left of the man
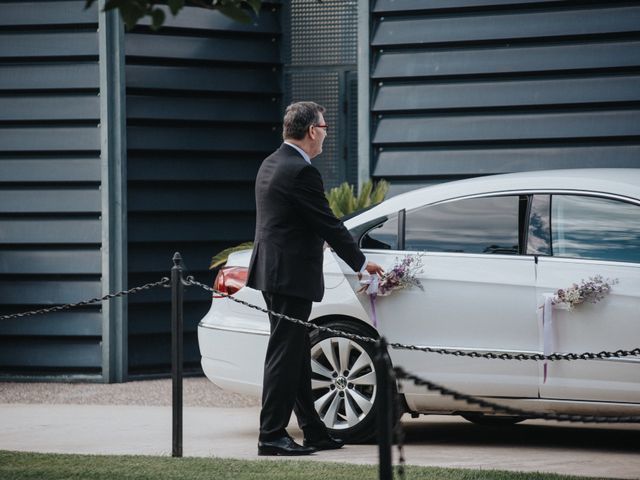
177	291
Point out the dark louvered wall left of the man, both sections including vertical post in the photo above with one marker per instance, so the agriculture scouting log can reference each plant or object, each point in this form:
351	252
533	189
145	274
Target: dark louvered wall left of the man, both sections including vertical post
203	108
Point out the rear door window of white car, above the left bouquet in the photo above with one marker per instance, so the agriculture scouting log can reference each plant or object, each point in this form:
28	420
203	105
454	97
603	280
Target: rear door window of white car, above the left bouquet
474	225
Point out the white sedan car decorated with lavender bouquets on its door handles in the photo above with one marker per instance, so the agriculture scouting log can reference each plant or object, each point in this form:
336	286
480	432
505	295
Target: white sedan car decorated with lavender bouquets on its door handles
493	249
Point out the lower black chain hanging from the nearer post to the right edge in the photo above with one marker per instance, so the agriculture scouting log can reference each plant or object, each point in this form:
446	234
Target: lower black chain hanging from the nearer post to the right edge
471	400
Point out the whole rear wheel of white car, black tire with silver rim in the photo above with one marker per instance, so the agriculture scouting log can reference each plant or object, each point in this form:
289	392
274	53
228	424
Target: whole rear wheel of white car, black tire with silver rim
344	382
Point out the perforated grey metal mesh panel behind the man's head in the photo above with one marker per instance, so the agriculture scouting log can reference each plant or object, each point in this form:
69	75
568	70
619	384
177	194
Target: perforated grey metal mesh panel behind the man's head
320	52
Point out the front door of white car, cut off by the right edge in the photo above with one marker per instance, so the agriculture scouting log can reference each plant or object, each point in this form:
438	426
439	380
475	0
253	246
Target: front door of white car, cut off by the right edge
587	236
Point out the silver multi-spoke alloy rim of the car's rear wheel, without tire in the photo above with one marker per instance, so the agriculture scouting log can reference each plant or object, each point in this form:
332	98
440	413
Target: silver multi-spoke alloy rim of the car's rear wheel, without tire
343	382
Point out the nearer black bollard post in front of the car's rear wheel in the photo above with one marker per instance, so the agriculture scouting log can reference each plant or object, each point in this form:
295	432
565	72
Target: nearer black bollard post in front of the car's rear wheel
384	407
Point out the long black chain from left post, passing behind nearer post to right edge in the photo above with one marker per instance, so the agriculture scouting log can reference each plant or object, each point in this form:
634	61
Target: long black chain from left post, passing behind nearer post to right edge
441	351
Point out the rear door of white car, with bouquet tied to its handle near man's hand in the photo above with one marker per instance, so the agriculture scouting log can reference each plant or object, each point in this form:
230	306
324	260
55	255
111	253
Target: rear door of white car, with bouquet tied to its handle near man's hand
479	292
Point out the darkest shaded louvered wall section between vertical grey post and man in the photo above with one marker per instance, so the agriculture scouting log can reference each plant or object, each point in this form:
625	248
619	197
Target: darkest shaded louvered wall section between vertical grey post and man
203	110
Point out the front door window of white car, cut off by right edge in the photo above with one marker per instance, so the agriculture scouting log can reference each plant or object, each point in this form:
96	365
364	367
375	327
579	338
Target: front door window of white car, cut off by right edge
595	228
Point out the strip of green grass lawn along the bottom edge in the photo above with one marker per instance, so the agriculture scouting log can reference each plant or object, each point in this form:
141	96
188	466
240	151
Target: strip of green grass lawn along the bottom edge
39	466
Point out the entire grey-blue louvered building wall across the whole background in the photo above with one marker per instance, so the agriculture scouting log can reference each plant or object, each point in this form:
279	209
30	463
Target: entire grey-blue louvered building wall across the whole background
475	87
